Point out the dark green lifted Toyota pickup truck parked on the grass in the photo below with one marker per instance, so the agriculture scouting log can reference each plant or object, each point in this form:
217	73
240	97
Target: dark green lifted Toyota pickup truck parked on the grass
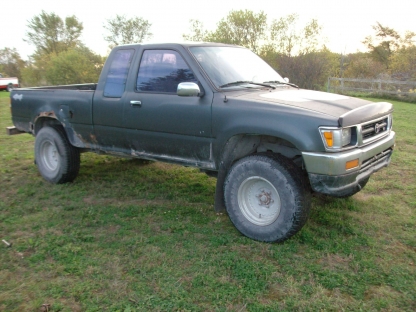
219	108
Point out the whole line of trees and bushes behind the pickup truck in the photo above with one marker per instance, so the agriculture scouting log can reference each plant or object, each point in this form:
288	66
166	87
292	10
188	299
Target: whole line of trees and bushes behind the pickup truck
295	51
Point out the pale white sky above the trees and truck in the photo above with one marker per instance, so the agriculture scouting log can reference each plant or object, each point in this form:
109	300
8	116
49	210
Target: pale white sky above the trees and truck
345	23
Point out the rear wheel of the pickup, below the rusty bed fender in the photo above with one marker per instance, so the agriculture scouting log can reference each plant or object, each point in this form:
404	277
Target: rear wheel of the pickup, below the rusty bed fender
57	160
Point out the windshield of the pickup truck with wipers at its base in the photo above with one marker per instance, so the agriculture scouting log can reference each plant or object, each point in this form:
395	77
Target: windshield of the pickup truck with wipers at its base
230	67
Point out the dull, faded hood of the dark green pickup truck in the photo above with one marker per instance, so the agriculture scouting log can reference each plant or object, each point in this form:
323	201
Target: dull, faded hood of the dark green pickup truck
348	110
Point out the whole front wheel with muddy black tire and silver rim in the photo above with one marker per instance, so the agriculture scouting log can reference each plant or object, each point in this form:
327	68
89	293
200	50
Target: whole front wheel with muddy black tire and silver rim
266	197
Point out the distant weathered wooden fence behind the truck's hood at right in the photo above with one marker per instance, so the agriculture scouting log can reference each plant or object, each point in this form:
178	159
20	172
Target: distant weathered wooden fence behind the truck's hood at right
373	86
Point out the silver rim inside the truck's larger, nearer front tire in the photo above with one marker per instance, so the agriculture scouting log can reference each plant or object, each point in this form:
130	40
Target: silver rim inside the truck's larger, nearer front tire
259	201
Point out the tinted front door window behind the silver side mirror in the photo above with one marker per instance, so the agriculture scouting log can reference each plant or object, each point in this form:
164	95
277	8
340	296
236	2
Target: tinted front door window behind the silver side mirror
162	71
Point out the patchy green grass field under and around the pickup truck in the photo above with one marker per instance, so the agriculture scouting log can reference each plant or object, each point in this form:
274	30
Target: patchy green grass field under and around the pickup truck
133	235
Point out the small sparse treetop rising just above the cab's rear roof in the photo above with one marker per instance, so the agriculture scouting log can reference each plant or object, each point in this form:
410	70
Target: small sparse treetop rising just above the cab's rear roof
125	31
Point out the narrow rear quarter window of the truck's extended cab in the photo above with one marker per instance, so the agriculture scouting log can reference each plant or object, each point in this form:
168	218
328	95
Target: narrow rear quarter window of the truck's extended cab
117	76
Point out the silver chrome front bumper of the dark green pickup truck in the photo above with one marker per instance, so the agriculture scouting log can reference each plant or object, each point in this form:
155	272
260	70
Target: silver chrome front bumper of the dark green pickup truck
327	172
